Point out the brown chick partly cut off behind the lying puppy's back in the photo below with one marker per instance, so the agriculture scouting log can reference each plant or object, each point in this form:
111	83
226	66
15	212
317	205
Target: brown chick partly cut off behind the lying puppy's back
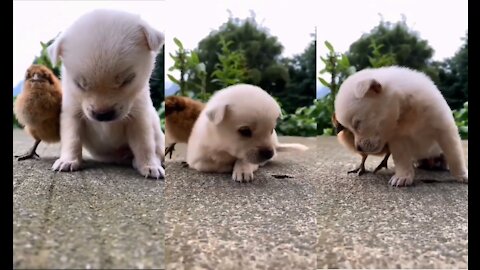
180	116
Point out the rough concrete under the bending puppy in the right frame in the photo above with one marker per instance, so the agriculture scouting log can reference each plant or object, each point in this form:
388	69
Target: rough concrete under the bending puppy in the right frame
365	223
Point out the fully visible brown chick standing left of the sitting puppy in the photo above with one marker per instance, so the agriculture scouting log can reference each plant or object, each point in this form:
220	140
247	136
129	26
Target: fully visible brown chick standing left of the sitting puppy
38	107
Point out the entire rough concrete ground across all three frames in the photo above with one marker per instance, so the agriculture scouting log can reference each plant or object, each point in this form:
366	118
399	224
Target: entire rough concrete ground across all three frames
302	212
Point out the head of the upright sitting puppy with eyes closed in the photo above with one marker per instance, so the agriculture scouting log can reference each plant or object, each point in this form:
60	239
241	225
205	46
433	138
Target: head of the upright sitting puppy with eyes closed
108	57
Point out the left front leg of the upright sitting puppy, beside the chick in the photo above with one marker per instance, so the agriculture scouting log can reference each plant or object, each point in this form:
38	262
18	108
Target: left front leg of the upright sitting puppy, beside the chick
71	142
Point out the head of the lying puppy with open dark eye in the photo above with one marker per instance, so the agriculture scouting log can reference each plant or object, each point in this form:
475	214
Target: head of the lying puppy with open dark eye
244	117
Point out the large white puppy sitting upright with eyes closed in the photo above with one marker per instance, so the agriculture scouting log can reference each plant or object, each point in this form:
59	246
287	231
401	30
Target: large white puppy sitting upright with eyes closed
108	57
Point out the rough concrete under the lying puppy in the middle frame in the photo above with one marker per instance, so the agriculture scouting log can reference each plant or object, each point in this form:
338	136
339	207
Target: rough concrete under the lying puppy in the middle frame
213	222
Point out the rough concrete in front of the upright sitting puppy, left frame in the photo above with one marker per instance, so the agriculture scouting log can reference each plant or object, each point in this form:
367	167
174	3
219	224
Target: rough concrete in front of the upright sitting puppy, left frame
102	217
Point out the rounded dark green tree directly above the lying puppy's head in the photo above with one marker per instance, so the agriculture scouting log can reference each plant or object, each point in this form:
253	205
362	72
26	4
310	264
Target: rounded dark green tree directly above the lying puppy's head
261	50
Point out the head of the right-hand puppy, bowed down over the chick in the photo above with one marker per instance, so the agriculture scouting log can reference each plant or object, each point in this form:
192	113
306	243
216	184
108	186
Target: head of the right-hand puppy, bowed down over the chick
365	107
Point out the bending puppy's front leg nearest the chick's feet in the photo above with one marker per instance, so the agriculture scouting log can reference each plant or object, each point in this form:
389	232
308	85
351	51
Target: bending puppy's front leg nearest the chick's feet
404	171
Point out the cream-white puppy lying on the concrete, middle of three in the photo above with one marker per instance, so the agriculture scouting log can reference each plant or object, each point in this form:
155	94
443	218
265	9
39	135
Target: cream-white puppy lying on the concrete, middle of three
235	131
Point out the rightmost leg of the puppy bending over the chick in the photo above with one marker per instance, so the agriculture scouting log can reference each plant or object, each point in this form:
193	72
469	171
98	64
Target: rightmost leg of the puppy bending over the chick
451	146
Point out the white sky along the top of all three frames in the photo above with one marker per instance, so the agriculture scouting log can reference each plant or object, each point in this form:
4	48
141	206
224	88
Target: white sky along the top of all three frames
442	22
